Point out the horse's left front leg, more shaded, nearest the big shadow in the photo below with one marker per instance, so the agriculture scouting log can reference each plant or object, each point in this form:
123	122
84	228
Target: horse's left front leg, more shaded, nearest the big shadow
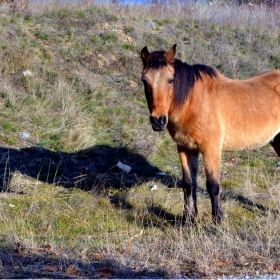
189	162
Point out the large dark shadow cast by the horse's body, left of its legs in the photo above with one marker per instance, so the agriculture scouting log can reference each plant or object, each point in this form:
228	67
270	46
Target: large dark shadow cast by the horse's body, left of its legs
83	169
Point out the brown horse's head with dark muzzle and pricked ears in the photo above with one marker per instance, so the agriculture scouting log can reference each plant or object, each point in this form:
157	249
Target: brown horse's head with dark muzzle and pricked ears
158	76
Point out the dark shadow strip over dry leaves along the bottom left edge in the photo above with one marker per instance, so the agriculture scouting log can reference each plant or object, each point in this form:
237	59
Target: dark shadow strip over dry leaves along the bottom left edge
46	263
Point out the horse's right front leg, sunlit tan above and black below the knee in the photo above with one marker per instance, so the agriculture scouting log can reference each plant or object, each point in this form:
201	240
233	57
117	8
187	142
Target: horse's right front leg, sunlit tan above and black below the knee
212	160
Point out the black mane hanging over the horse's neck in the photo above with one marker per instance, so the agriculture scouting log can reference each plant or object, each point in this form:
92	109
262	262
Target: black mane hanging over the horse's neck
185	77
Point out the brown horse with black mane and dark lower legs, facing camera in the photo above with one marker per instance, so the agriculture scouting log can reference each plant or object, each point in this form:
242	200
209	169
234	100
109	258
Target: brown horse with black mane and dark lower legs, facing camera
206	112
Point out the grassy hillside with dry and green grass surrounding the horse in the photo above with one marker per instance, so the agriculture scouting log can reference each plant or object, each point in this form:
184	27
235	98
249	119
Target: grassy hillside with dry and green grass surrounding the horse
72	106
